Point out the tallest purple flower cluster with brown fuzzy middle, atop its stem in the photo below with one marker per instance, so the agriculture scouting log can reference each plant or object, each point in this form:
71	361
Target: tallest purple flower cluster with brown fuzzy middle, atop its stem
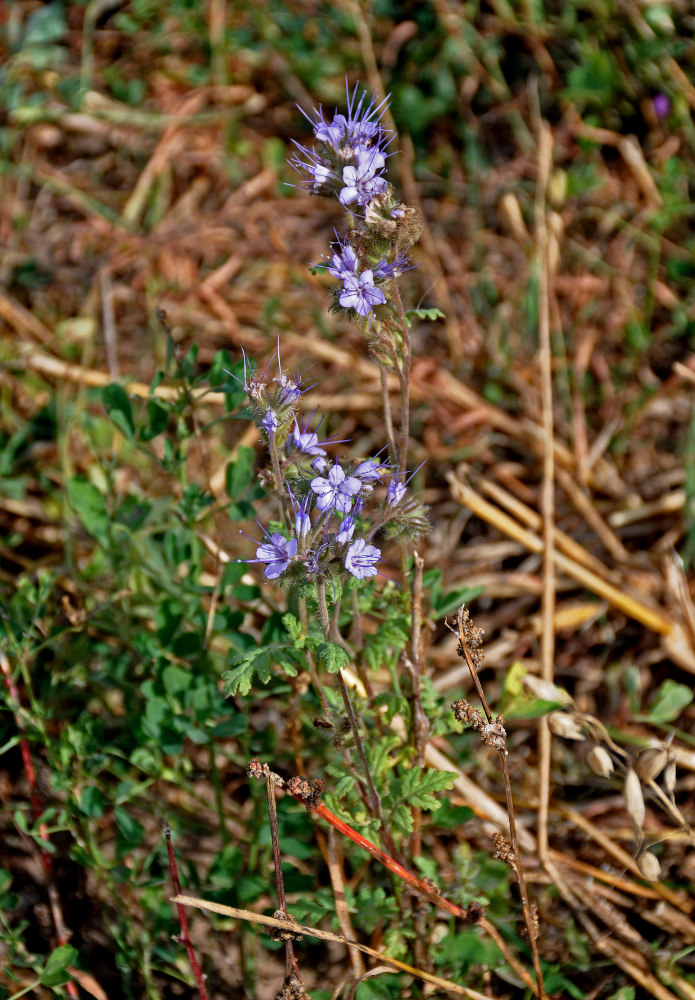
349	162
